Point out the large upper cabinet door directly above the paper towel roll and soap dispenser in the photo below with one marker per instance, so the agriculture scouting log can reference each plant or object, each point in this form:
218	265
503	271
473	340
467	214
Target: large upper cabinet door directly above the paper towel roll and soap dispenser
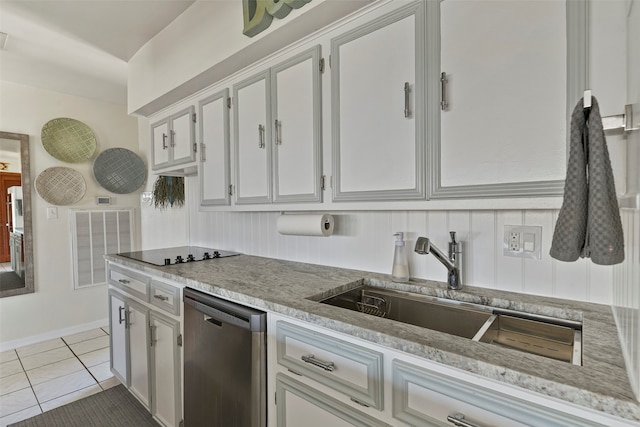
378	108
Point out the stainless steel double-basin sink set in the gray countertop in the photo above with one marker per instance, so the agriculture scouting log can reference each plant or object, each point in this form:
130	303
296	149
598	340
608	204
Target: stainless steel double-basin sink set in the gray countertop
545	336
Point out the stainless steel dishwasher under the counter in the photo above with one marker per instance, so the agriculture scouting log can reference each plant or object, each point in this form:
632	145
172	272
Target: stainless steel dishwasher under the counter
224	363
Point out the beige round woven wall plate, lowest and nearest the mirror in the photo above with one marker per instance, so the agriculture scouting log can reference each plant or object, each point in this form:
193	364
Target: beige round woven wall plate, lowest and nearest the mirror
61	186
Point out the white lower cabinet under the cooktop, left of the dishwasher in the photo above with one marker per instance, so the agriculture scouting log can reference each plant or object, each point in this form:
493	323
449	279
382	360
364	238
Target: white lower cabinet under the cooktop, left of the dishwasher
146	344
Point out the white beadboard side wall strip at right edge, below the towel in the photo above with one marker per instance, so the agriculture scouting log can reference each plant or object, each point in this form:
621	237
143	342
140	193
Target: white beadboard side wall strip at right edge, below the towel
626	295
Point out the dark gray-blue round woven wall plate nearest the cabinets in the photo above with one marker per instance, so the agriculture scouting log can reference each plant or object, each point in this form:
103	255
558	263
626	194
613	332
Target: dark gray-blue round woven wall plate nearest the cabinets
119	170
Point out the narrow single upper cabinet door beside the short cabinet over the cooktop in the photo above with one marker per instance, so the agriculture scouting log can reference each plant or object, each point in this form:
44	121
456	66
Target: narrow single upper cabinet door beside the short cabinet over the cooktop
214	150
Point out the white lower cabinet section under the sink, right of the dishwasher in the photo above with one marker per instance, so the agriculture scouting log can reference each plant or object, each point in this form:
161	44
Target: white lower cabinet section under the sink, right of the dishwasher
319	377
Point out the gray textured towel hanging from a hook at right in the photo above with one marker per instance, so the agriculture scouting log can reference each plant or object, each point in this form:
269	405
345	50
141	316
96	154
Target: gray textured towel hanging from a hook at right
589	223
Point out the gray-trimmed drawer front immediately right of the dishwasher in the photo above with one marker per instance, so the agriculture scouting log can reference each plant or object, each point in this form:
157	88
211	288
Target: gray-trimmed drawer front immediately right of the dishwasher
345	367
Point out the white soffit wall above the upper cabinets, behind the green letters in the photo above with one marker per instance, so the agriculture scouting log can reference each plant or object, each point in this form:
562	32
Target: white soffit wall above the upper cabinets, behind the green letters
202	45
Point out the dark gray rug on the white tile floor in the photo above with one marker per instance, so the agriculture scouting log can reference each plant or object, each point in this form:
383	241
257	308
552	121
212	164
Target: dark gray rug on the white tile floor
112	407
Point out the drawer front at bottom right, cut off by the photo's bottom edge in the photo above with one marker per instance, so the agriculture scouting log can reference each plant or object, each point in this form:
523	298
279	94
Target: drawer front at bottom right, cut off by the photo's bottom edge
426	398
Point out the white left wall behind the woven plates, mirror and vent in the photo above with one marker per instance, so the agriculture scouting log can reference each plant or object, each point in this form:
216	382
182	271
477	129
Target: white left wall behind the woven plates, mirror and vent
55	305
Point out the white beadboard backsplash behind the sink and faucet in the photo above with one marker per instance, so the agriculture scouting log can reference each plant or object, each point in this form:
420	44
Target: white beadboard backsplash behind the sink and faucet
364	241
